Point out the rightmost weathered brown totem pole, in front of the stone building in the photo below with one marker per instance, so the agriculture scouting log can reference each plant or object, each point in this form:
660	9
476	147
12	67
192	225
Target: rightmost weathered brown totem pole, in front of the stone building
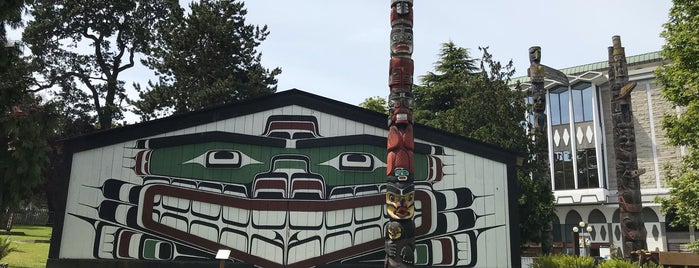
627	172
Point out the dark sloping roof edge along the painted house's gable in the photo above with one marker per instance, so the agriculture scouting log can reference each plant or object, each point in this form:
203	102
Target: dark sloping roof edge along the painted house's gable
281	99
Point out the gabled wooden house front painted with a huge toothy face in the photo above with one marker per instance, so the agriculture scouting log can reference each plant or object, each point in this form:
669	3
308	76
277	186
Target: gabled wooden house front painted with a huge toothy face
287	180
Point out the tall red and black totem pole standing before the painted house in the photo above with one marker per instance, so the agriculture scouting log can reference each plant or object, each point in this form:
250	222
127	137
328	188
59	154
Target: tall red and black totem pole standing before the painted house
400	190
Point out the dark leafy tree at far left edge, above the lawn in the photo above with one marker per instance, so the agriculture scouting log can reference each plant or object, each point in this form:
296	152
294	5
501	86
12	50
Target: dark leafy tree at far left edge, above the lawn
25	127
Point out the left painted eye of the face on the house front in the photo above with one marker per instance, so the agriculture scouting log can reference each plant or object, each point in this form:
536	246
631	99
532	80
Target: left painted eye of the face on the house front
224	158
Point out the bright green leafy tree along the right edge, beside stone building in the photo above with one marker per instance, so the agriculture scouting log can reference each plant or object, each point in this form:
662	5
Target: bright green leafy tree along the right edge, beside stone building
680	81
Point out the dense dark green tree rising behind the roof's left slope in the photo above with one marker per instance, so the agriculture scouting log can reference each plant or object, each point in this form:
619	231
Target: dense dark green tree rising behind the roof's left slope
206	58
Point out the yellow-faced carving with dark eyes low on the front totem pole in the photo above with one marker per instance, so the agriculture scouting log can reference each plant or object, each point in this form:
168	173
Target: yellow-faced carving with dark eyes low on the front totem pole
400	201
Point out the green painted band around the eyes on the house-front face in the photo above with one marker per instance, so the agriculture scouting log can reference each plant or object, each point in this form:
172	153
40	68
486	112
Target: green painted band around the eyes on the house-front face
177	161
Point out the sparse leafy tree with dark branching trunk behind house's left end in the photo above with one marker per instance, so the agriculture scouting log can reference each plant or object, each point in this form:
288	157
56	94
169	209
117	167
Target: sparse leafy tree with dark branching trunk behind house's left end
84	46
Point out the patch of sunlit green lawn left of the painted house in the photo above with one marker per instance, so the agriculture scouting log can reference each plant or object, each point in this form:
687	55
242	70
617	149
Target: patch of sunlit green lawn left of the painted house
29	253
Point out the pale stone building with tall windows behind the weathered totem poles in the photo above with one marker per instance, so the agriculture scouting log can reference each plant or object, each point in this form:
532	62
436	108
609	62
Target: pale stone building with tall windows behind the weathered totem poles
583	163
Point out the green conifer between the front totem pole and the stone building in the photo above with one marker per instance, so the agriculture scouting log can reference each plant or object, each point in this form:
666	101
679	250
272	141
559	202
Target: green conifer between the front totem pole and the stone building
478	103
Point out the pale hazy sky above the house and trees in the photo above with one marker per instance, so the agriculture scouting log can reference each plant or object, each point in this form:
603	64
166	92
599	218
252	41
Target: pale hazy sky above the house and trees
340	49
